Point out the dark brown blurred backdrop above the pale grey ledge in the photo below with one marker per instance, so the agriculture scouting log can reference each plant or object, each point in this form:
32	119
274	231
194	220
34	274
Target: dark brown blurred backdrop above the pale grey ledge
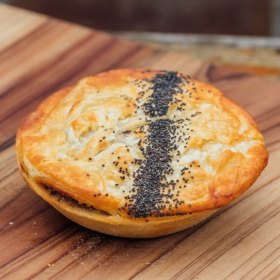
236	17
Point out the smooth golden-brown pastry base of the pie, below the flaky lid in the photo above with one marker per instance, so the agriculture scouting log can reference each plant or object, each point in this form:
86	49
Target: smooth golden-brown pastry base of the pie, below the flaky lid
116	225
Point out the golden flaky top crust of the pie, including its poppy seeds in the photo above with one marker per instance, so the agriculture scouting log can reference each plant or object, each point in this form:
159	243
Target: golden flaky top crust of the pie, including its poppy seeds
142	145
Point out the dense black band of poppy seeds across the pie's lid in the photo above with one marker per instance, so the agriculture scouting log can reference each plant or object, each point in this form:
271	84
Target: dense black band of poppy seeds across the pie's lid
150	180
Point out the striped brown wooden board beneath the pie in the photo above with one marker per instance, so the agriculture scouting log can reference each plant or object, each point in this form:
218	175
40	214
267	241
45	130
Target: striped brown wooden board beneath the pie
39	55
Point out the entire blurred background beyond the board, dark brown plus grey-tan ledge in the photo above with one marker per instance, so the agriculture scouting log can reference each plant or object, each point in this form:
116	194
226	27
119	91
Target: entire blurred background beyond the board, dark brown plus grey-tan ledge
244	34
